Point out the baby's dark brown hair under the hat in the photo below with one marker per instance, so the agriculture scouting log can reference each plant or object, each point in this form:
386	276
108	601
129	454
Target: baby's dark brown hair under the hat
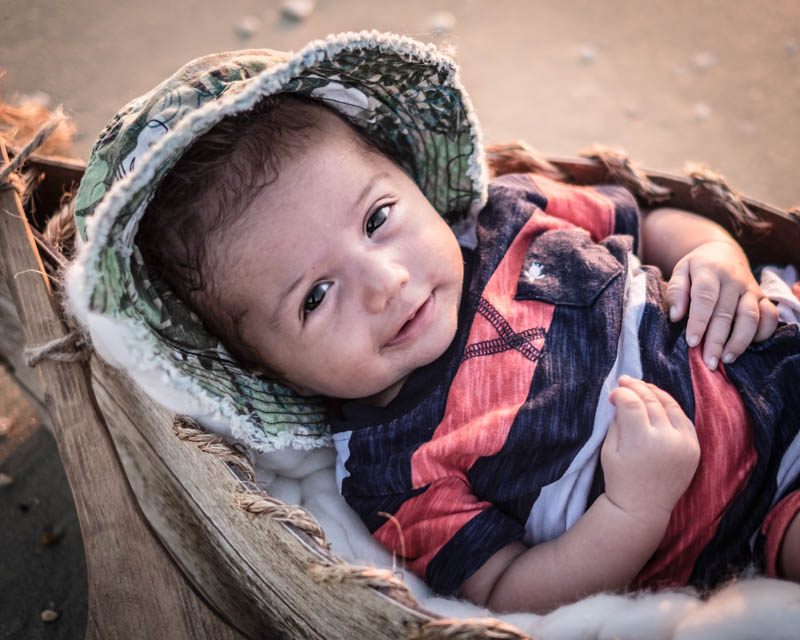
204	194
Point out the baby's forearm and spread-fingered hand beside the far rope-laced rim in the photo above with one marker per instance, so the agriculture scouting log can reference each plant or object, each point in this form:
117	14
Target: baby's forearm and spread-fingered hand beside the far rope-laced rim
709	267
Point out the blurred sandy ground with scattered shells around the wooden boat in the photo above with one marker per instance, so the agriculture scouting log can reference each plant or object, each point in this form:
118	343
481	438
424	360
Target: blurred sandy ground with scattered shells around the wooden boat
668	81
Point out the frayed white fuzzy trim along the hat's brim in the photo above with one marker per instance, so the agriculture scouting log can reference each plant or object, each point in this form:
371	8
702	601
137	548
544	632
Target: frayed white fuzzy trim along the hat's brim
130	343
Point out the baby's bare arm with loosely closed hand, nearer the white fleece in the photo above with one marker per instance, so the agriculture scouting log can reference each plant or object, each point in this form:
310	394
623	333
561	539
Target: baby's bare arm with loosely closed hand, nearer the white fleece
649	458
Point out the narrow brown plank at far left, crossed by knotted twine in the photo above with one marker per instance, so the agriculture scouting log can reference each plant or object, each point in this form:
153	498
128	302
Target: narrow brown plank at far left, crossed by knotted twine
134	589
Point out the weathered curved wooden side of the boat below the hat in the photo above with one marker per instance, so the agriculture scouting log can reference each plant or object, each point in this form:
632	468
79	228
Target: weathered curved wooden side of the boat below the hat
252	569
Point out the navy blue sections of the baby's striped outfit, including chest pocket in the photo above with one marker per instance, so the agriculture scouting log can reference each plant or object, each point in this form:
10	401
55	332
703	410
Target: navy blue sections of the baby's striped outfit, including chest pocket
586	283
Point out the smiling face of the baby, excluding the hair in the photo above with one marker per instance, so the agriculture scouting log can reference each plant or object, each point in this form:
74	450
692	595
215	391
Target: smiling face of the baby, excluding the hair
349	278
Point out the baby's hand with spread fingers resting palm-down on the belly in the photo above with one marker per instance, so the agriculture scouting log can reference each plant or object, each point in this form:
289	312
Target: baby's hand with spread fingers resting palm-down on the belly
723	291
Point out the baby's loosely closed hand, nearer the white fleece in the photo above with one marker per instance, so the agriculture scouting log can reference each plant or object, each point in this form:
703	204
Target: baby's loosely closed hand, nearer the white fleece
651	451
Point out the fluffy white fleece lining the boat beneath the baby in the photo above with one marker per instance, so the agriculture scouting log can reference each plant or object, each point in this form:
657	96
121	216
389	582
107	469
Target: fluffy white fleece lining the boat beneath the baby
753	607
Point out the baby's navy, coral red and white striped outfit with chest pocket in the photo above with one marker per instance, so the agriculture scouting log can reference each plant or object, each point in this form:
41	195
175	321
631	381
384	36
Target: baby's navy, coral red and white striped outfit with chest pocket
499	439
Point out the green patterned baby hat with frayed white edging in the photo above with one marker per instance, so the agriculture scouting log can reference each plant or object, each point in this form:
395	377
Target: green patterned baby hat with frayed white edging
401	91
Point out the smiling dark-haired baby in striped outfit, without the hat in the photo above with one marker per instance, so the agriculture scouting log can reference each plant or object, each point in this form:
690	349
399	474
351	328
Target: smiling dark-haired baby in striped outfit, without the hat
528	416
